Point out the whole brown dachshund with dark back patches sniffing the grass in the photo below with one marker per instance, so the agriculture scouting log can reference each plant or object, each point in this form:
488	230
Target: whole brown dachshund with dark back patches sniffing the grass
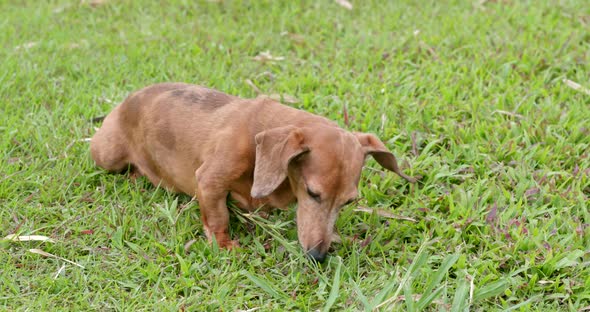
263	154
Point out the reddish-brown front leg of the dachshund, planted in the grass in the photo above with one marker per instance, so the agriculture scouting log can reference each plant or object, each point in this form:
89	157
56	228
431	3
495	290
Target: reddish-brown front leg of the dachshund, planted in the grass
212	197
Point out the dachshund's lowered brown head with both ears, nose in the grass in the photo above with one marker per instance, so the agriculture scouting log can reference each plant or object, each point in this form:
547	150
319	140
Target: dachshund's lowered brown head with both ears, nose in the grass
323	165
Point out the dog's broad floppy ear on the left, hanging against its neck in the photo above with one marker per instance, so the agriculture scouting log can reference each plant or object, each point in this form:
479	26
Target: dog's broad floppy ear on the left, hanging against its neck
275	148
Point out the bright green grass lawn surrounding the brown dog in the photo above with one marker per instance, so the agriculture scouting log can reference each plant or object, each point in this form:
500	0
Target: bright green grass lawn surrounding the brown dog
468	94
